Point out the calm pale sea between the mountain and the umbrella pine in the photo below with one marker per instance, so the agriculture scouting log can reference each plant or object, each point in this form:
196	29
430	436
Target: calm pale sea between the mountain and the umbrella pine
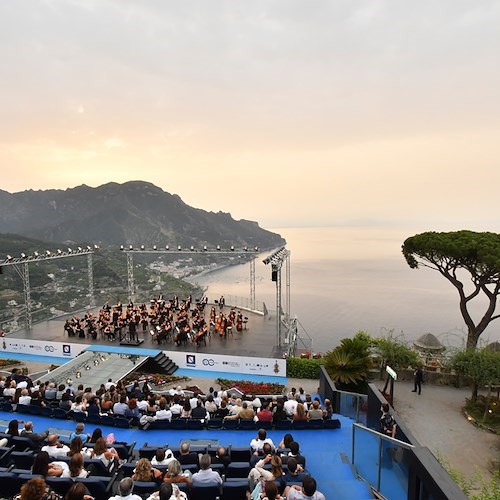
347	279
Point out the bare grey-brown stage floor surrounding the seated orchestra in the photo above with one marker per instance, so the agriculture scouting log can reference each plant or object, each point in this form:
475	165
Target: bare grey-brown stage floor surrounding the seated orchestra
257	340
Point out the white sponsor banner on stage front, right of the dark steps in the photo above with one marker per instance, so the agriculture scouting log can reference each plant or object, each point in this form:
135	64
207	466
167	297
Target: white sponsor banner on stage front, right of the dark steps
230	364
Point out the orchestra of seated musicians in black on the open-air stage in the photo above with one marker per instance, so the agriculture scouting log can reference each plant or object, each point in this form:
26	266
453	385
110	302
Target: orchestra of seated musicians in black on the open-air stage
181	322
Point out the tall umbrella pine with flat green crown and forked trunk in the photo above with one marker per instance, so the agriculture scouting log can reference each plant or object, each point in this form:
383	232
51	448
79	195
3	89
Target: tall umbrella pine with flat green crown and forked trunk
453	252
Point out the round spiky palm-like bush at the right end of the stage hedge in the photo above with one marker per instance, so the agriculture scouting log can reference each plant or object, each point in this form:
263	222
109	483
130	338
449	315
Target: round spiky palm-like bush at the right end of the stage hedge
349	363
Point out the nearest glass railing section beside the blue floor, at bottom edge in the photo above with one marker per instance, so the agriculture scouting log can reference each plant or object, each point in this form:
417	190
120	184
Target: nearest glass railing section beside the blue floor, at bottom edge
381	461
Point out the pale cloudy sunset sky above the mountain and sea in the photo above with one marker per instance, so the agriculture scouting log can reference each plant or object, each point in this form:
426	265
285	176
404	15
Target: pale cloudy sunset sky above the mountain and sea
287	112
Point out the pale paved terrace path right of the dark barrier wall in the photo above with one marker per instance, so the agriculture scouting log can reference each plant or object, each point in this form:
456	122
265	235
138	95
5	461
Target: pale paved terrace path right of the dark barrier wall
436	420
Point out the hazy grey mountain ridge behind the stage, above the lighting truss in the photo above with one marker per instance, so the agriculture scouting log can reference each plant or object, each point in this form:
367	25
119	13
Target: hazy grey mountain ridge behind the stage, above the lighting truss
133	213
